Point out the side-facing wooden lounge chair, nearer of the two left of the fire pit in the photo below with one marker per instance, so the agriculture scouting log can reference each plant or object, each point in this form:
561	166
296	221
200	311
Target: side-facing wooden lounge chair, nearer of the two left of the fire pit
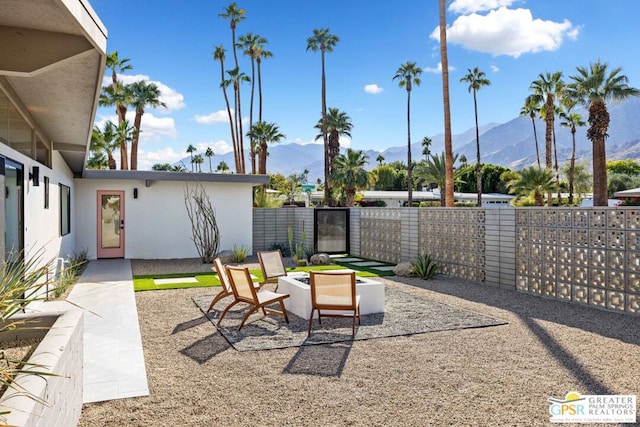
244	291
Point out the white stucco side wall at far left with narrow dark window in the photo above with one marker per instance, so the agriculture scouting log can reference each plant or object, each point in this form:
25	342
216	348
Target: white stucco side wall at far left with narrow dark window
42	226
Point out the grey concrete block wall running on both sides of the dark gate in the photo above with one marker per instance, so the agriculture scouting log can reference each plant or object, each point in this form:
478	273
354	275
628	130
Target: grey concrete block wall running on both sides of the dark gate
588	256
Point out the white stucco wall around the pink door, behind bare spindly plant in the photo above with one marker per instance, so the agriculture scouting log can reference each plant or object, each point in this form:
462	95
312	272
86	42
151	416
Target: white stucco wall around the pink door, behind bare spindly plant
156	223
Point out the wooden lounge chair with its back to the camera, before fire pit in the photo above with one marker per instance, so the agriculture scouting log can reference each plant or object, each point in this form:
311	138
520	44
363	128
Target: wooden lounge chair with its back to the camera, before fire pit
333	293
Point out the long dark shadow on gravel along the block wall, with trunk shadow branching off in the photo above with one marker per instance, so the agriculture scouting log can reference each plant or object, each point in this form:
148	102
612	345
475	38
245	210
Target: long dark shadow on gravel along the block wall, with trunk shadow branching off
532	309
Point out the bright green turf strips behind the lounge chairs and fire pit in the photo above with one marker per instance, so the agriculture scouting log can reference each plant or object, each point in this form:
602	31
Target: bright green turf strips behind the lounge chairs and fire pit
146	283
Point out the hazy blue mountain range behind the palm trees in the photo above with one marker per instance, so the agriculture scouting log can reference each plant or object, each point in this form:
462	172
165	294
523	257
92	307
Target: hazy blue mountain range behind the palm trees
510	144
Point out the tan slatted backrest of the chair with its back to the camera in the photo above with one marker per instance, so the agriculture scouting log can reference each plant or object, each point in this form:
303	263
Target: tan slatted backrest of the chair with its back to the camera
333	290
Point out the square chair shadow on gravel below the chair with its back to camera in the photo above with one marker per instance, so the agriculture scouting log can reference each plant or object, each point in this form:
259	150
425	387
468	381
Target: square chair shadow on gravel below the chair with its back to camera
325	360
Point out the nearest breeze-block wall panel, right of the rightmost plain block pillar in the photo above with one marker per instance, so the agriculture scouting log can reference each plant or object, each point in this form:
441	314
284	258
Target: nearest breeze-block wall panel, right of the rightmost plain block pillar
587	256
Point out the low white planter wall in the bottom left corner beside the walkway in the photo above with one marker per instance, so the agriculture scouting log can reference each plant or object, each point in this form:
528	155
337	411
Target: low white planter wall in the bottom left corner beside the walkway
60	352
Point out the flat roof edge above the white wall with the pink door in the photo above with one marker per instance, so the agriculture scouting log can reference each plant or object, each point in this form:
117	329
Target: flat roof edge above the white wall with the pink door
149	177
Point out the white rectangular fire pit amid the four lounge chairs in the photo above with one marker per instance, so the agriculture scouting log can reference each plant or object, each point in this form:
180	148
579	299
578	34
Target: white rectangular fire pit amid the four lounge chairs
299	301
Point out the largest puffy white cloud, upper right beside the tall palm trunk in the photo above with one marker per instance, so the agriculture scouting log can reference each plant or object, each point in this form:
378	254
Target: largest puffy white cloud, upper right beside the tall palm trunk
509	32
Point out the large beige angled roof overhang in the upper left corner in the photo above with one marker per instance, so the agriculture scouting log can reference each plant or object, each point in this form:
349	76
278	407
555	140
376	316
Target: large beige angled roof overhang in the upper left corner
52	60
